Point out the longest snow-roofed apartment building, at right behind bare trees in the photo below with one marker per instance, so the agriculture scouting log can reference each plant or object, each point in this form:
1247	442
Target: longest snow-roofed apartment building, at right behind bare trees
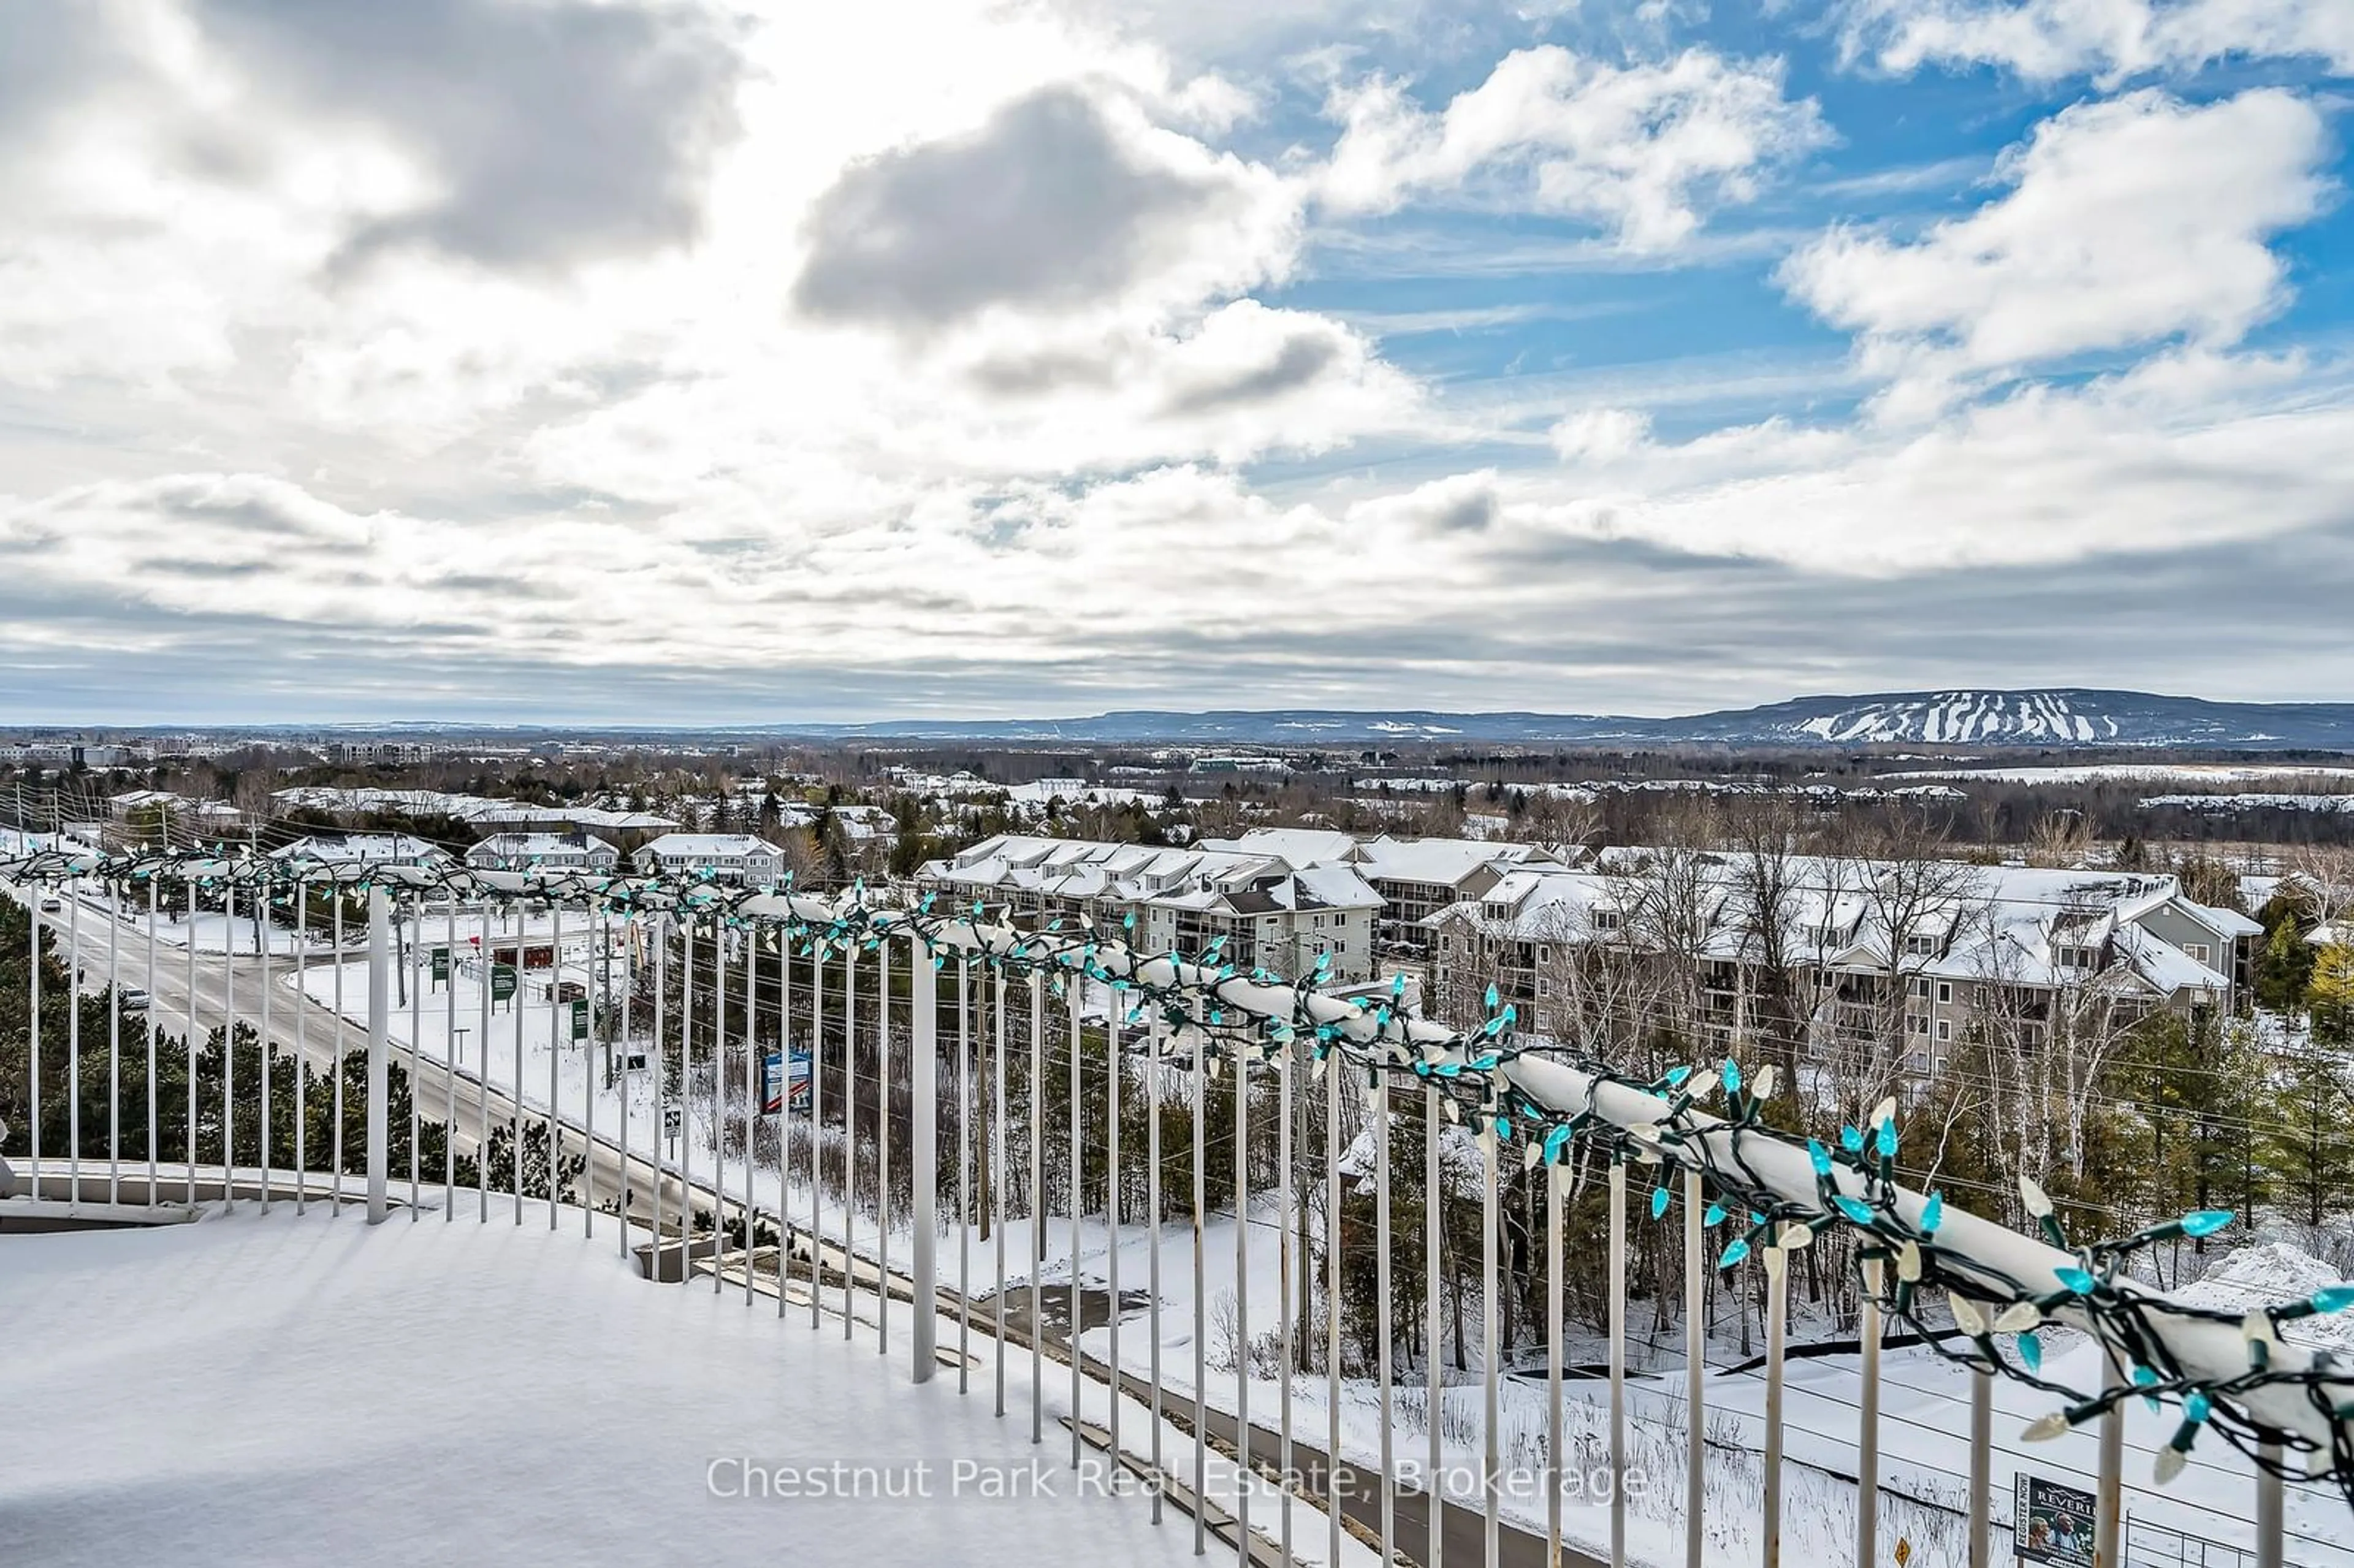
1931	950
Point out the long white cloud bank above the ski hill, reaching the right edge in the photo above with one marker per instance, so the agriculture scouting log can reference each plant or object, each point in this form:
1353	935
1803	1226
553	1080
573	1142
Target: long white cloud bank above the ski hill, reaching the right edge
2186	453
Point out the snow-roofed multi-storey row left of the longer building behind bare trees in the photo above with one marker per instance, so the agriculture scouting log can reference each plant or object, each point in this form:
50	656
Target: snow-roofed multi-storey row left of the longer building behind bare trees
1270	912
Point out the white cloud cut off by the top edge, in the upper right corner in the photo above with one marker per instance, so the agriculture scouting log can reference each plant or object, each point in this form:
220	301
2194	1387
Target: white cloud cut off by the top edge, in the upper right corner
2106	39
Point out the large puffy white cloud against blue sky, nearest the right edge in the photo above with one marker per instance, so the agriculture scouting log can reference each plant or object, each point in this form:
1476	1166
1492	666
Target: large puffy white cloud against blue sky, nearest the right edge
2127	222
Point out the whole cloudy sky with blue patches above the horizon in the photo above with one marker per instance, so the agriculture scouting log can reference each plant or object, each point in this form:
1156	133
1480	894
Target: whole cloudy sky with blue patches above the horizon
693	361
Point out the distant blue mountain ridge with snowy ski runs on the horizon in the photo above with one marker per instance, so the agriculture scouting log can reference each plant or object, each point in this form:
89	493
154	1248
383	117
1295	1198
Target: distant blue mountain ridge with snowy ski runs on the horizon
1976	717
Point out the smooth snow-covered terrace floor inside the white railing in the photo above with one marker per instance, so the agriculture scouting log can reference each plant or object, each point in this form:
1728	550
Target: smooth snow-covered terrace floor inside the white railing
314	1390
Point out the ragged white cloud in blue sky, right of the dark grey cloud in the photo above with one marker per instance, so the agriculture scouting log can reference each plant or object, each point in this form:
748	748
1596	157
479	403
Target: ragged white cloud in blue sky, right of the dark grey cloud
1640	150
